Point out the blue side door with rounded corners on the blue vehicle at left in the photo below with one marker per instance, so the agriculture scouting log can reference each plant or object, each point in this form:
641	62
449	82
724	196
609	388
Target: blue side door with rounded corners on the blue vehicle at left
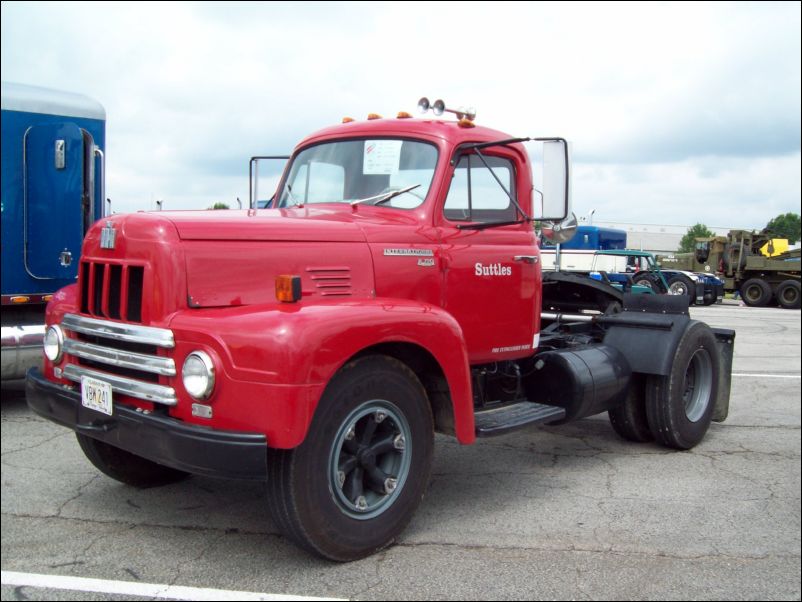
58	198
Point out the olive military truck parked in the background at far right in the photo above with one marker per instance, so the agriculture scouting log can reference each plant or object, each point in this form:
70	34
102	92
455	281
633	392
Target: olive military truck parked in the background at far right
737	259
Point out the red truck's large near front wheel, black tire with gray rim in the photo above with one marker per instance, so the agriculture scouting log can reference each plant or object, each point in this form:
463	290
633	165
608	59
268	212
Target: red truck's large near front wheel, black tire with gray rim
354	483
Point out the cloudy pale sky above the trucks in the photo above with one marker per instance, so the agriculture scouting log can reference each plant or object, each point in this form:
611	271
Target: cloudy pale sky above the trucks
678	113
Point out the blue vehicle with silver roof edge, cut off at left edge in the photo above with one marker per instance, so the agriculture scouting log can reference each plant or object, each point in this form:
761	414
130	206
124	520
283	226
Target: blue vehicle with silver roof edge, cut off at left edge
53	173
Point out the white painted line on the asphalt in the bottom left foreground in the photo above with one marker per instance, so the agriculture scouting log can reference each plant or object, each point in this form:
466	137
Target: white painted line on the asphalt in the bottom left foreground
129	588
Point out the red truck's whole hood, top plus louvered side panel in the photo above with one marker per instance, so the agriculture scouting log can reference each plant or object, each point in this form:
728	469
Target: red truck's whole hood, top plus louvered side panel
233	257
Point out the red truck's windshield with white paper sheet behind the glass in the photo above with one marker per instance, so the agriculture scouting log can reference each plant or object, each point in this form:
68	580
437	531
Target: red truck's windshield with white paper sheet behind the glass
364	171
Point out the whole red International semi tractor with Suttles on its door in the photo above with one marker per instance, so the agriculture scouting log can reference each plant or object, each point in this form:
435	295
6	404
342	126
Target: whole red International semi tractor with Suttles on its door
392	291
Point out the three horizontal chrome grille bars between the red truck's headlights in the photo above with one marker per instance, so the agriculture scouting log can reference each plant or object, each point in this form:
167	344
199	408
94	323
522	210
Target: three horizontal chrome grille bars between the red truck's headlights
124	355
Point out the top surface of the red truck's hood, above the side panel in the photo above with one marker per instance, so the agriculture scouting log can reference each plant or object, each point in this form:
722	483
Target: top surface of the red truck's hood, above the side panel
298	225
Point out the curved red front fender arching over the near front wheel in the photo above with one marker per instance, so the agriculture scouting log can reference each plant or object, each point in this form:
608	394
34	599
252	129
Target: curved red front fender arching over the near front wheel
304	345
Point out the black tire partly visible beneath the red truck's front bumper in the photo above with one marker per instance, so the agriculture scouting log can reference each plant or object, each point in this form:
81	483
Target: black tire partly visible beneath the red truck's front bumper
127	467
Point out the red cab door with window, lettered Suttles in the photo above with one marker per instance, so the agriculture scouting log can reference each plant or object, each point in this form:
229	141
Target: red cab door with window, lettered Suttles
490	274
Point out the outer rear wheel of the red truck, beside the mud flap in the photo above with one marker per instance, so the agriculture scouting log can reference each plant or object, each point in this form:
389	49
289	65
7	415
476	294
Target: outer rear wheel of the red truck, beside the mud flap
679	406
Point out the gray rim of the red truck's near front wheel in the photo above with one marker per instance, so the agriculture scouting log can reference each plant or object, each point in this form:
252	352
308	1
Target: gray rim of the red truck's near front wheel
370	459
